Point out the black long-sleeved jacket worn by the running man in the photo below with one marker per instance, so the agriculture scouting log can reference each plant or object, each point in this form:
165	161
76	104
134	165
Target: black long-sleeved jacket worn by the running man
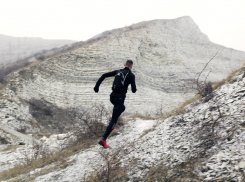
130	79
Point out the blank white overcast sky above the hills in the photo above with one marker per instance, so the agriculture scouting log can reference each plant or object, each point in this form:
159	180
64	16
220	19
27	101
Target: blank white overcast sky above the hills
222	20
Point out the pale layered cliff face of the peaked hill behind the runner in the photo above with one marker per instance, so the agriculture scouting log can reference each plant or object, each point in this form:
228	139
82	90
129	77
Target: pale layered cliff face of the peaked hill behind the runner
167	55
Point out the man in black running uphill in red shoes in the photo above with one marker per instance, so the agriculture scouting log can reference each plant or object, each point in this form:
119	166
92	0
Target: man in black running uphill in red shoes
117	97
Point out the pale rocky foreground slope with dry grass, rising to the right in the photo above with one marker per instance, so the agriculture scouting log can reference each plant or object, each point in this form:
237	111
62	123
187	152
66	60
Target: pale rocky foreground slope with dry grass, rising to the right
206	142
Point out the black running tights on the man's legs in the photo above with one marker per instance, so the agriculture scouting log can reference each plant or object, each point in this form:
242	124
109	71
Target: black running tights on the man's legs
117	111
